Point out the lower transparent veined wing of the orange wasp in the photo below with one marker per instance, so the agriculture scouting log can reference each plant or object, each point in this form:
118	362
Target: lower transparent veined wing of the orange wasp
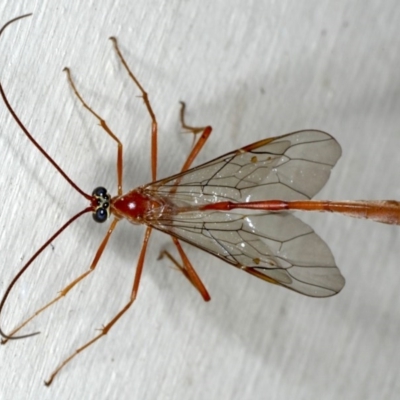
277	247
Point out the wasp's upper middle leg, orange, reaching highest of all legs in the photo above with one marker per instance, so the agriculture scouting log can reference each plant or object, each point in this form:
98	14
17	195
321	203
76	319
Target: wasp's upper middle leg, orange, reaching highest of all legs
145	96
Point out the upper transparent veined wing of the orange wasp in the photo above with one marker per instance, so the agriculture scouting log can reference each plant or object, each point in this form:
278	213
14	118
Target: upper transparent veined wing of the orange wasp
289	167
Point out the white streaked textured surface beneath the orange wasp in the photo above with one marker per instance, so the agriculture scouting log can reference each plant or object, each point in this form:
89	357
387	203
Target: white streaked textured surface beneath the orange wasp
252	69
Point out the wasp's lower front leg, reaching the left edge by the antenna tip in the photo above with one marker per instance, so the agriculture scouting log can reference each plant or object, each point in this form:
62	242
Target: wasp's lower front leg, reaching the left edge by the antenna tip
65	290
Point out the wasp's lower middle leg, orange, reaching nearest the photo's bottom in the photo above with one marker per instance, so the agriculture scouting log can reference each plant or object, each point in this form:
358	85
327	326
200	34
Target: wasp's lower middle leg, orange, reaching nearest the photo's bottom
107	327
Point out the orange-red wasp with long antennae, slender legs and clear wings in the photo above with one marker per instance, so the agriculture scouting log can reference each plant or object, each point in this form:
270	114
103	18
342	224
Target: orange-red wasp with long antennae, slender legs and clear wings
236	207
